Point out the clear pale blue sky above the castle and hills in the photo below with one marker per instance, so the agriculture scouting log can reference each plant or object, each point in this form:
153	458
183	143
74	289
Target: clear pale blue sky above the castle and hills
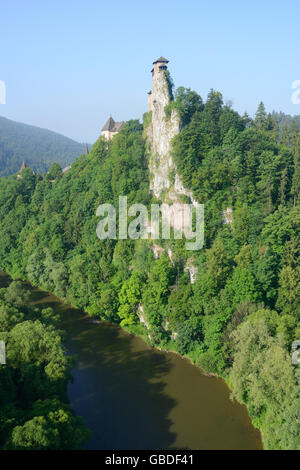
68	64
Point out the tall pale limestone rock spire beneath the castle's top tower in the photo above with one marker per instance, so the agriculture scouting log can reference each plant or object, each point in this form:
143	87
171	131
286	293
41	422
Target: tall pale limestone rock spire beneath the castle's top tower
165	182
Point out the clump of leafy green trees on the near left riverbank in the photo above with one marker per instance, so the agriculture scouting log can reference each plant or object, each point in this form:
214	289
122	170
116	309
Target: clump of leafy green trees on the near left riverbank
35	414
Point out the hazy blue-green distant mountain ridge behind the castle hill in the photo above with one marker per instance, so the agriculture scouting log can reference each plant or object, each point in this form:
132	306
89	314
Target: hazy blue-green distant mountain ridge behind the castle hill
38	147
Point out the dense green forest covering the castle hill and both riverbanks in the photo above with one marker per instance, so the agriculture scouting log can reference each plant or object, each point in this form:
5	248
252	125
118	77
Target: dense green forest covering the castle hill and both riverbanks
239	318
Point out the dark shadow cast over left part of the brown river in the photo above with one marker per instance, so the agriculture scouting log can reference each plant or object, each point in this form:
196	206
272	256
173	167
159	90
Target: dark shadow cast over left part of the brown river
118	382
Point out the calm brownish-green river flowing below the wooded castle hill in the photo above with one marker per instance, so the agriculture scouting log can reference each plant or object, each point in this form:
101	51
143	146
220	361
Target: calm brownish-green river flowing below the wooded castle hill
134	397
